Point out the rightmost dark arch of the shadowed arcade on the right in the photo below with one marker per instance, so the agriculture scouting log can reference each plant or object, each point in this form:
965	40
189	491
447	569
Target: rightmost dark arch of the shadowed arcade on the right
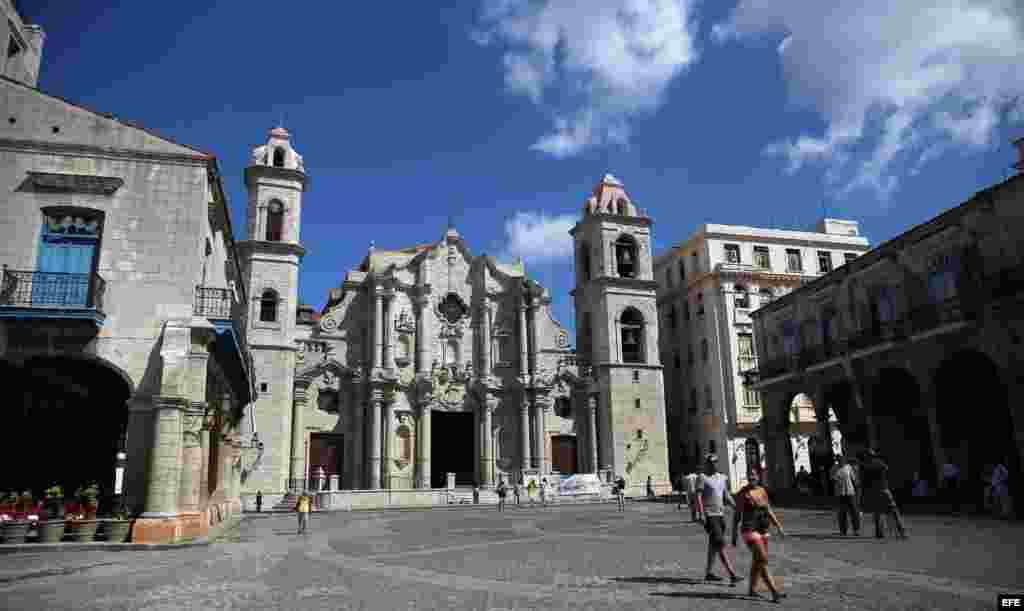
975	423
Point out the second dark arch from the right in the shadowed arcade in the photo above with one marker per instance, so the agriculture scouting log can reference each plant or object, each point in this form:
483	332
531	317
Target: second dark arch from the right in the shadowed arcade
902	430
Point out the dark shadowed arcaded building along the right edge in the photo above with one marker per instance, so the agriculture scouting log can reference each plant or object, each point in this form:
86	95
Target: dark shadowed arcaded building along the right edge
916	346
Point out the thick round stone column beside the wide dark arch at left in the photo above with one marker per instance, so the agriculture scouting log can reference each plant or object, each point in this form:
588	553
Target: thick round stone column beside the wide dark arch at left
165	459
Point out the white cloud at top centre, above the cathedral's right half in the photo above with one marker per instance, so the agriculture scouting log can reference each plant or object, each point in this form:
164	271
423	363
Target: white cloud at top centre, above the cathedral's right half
593	66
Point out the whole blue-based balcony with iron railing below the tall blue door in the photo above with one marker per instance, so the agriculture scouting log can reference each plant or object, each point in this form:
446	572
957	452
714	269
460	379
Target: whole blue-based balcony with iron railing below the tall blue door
27	295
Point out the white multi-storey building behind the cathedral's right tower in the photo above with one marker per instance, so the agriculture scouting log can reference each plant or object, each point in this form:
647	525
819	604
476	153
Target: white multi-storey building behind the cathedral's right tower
708	286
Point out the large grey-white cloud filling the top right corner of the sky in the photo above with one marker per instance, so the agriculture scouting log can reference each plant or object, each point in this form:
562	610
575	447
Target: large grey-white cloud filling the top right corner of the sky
894	81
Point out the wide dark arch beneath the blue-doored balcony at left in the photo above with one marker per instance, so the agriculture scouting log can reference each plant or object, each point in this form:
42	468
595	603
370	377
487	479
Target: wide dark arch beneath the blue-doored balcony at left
69	417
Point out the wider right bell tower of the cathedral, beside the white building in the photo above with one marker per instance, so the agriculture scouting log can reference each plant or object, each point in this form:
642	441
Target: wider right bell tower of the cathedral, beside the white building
617	334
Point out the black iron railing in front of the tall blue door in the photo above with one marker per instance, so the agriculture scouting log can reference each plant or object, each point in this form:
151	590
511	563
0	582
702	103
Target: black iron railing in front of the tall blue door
48	290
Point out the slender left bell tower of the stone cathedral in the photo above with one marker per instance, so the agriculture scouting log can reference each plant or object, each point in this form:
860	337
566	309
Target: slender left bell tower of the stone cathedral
276	181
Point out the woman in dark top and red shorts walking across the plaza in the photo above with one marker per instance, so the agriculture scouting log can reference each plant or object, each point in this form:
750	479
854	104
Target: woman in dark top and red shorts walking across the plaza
754	517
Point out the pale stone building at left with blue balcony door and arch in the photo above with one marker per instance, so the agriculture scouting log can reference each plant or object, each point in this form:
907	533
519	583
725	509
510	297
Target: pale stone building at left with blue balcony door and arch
119	310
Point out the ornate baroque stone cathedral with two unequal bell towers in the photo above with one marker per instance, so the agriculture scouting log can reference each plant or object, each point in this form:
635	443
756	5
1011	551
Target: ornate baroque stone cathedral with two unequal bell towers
432	361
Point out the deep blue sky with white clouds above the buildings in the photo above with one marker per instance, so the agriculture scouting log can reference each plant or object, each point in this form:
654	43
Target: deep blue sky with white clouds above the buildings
504	114
